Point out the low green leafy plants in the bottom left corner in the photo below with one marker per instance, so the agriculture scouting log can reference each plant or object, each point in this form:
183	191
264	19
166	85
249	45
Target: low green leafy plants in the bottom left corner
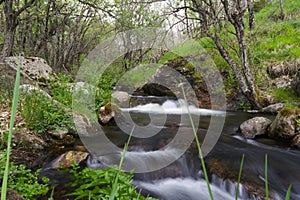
23	180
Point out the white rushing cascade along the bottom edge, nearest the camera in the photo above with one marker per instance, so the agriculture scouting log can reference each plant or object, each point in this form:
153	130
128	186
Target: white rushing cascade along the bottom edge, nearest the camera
192	189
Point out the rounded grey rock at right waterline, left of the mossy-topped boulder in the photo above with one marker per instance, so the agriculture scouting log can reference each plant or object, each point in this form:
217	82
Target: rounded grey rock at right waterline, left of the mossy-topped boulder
255	126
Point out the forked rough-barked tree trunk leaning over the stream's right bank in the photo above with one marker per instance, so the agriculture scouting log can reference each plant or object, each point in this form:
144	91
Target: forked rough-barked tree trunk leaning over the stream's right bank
215	18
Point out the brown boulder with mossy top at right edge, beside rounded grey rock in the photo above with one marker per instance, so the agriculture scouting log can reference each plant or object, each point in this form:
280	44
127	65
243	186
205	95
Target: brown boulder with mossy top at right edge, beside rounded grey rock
285	124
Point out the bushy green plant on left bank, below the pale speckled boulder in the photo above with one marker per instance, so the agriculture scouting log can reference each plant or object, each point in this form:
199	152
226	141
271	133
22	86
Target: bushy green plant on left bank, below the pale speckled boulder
42	114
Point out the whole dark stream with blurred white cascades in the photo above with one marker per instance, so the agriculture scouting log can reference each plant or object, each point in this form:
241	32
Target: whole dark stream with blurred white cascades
183	178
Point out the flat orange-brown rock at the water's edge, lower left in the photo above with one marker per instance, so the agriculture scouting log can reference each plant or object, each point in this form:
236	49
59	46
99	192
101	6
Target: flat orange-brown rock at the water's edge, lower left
66	160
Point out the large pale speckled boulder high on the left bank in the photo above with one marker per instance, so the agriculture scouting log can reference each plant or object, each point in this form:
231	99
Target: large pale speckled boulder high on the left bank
32	68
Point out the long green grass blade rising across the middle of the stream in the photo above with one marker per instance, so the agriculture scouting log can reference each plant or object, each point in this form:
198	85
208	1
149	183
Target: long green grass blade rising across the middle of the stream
198	145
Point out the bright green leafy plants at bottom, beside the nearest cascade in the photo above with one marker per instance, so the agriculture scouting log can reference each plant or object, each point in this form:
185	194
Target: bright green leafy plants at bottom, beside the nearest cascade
98	184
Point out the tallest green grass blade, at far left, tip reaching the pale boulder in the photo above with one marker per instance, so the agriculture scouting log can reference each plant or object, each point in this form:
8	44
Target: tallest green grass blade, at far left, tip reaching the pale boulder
11	125
